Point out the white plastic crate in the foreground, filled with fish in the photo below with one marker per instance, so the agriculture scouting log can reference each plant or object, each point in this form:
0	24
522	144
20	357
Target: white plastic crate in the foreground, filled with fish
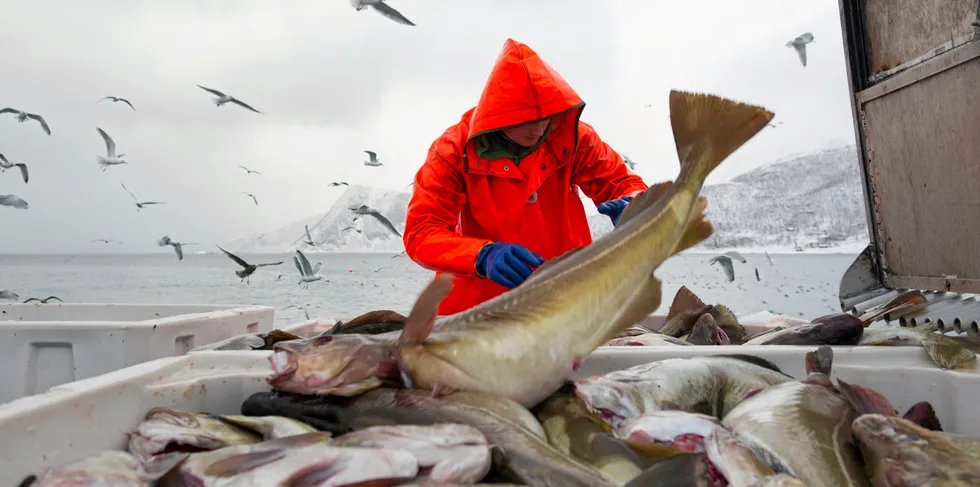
87	416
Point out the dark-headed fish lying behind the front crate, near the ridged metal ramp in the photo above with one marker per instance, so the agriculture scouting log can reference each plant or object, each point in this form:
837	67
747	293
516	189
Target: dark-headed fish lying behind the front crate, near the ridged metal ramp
837	329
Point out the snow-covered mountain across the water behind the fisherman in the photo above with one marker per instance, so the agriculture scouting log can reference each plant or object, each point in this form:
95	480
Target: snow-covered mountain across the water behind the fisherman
808	200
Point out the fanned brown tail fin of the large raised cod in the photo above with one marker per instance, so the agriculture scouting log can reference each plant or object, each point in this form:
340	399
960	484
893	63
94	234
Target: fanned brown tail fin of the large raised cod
707	129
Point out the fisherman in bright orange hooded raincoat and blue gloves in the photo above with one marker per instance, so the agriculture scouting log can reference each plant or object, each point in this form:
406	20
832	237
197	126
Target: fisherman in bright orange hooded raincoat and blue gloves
498	193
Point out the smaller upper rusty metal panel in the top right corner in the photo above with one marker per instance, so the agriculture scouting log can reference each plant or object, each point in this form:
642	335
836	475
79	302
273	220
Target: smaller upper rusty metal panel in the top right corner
899	31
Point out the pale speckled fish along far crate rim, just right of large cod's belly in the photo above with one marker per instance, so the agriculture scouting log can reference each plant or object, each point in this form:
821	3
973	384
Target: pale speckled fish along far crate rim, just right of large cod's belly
707	385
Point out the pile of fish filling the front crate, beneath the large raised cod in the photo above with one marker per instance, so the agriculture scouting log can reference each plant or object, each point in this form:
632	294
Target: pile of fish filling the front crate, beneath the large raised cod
727	420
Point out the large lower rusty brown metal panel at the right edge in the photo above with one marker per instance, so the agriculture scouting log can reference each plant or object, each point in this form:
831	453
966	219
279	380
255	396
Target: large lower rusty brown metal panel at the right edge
922	156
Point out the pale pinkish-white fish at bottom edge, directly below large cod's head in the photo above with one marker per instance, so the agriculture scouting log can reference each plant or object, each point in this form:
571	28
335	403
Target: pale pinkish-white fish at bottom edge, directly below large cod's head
455	453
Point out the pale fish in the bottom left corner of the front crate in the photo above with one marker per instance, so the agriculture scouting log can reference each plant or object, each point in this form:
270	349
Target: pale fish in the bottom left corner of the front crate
111	468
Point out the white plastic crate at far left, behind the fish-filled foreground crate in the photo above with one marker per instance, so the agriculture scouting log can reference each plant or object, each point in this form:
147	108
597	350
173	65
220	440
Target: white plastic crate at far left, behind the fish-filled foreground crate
45	345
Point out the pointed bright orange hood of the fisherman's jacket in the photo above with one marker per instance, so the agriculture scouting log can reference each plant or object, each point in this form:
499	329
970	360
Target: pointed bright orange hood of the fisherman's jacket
521	88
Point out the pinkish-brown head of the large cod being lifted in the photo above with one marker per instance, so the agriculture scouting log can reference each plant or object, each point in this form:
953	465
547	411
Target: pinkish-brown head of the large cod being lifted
342	365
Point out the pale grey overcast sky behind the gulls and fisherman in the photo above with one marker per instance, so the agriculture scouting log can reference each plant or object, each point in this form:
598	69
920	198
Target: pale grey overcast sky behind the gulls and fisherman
333	82
